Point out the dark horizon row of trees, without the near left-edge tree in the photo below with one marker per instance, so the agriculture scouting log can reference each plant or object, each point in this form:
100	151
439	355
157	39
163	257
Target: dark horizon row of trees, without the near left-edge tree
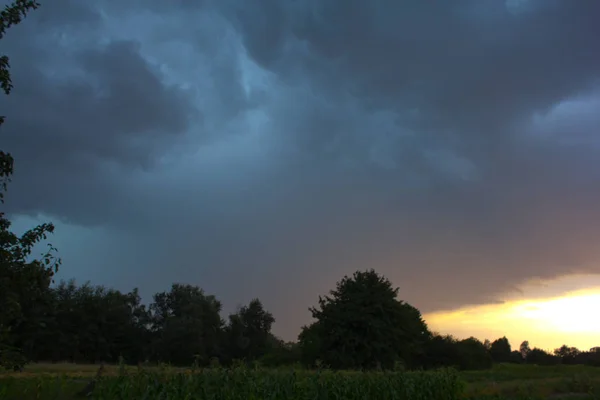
91	324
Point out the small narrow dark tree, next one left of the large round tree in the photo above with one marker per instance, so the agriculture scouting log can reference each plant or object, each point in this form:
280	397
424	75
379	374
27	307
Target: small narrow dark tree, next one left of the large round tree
248	333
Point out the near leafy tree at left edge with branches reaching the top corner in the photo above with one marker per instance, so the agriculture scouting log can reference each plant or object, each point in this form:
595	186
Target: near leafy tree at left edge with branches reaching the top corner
22	281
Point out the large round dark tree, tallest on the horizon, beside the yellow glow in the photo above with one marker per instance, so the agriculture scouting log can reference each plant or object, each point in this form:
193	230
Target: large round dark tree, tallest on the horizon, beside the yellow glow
362	324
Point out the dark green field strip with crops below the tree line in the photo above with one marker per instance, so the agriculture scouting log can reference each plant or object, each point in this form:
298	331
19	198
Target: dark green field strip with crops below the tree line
518	382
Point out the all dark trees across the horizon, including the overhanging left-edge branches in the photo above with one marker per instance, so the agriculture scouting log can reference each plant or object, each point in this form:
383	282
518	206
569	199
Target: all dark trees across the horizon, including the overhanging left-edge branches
361	324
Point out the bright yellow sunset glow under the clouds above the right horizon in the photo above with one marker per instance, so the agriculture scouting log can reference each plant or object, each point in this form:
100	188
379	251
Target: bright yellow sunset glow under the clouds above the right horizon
545	322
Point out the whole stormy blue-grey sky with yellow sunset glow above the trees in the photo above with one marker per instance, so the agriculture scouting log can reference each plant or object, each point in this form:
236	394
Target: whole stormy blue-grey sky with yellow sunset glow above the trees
268	148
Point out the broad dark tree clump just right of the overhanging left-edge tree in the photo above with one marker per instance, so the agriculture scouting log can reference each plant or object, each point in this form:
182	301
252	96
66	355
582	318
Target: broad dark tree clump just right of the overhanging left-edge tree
88	324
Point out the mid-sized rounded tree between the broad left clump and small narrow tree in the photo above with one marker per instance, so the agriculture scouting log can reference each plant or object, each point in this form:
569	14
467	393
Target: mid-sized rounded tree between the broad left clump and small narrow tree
186	325
